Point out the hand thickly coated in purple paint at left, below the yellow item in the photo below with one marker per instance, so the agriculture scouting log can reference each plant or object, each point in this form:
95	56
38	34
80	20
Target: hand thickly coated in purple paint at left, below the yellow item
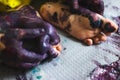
28	39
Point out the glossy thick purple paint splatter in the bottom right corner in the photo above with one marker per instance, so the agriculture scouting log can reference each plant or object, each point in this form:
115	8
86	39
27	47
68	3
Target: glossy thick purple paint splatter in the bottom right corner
107	71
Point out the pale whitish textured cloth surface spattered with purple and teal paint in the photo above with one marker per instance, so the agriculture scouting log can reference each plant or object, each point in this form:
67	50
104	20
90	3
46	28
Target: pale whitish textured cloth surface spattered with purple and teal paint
76	60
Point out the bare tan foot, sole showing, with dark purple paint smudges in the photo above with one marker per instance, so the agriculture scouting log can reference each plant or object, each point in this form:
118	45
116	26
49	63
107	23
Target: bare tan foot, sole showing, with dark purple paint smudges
87	26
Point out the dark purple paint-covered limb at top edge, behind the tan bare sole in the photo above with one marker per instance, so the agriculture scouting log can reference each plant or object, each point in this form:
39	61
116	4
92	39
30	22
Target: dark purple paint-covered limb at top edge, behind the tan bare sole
93	5
